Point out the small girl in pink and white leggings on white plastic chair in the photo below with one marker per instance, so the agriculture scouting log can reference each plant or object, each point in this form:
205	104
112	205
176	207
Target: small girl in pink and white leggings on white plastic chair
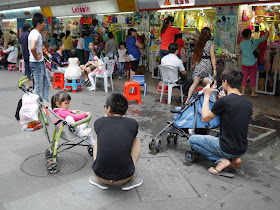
97	63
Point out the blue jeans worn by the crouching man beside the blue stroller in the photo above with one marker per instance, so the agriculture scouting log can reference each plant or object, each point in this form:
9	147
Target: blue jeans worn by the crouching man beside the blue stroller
209	147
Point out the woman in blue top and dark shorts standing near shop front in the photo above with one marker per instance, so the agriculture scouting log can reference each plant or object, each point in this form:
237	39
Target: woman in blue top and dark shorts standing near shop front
134	54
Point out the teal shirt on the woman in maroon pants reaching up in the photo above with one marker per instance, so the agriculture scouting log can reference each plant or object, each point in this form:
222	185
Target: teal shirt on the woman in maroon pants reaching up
247	48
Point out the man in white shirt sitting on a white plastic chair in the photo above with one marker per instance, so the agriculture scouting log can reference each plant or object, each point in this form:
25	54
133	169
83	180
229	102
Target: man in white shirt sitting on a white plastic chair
172	60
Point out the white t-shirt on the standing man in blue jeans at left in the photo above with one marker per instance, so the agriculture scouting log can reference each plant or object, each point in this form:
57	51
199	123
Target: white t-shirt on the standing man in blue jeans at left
35	35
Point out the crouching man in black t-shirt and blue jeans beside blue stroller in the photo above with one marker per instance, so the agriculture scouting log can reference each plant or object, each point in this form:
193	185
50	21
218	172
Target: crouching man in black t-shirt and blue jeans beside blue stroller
235	111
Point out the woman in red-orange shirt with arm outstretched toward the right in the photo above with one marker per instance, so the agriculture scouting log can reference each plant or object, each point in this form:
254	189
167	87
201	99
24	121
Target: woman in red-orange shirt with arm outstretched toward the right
167	35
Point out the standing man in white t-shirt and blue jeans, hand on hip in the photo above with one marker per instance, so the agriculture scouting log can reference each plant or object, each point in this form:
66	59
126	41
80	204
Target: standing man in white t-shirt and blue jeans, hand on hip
36	59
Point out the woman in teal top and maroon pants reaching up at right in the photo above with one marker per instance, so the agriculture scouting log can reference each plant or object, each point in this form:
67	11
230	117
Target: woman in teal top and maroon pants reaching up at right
249	61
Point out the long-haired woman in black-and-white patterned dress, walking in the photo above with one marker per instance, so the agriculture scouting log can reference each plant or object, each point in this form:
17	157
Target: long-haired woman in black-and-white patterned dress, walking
204	56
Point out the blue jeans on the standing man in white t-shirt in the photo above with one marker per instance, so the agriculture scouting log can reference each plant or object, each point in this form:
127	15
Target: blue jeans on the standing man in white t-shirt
41	79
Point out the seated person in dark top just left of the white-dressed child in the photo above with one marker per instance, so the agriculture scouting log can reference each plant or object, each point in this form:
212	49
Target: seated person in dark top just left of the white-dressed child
58	65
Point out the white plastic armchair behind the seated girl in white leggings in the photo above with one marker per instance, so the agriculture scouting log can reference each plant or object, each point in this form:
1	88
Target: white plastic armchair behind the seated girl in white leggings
107	71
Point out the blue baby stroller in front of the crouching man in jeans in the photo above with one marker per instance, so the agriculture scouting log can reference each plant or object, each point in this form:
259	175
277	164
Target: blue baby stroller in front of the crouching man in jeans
185	119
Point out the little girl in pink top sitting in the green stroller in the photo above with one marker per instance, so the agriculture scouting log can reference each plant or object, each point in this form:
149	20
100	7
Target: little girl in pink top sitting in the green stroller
60	105
